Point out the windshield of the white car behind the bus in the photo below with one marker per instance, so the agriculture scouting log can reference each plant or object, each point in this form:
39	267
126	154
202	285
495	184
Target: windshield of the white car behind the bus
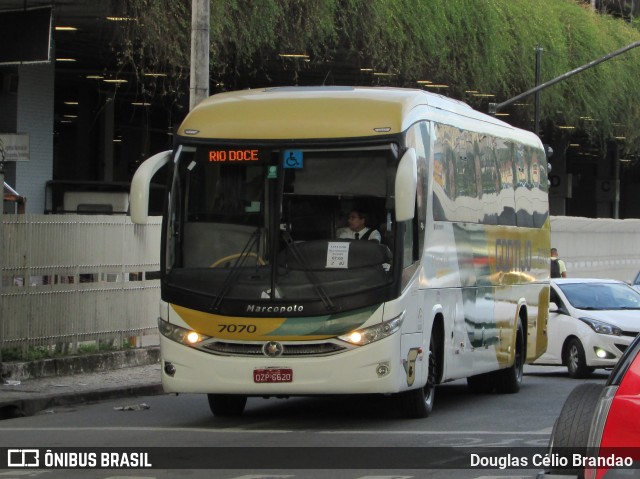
601	296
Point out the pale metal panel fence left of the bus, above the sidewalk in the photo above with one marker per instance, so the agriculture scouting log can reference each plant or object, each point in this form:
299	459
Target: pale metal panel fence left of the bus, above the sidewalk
68	279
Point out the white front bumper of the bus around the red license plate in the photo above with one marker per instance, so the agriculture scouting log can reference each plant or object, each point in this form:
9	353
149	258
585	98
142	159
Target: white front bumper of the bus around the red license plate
350	372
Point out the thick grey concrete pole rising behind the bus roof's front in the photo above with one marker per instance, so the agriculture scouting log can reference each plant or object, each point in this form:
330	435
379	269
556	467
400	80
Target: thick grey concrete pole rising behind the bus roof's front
199	80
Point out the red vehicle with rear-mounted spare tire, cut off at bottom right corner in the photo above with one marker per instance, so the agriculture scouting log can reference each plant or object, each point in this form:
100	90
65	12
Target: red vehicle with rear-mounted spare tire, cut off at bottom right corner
601	423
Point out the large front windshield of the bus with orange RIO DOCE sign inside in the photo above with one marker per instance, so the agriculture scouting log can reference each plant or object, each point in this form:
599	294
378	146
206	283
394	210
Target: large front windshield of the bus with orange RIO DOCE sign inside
264	226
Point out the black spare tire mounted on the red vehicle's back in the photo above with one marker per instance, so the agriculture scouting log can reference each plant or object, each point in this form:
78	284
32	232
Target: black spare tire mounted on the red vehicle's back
571	429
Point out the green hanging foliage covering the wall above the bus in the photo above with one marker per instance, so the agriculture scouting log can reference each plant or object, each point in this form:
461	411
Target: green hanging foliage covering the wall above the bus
486	46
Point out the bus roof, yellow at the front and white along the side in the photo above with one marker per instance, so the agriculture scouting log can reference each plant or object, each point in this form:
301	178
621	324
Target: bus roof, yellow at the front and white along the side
315	113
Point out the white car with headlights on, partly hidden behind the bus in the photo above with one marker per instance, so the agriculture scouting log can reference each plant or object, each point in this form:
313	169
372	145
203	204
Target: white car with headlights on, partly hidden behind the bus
591	323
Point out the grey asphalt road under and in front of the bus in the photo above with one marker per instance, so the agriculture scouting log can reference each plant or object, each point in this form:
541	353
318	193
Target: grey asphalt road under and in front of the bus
353	437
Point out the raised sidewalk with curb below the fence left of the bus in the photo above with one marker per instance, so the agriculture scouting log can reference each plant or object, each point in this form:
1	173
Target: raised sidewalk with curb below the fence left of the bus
29	388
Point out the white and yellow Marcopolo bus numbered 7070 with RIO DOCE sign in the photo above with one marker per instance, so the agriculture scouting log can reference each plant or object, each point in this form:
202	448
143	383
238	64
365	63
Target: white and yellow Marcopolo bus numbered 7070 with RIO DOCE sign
261	297
